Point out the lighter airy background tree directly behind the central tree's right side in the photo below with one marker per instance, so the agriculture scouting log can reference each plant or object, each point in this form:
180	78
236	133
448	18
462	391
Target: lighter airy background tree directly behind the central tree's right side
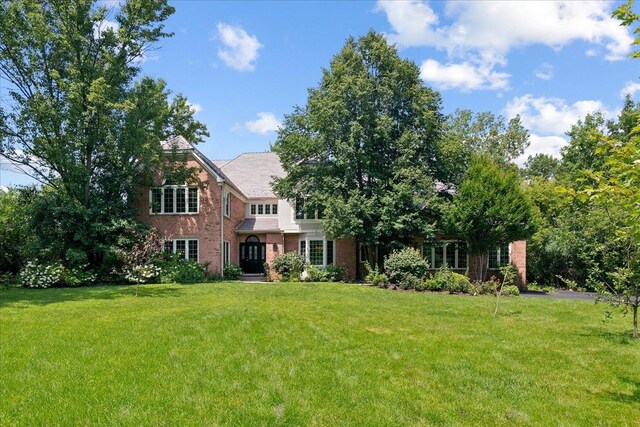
466	134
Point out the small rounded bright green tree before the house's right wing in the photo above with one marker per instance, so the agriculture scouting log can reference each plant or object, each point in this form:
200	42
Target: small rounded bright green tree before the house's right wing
489	208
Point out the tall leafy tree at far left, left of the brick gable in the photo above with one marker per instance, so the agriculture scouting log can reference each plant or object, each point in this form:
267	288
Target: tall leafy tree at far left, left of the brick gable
79	118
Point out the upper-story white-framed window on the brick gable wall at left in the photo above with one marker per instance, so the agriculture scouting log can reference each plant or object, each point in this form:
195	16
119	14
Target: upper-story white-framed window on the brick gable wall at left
173	199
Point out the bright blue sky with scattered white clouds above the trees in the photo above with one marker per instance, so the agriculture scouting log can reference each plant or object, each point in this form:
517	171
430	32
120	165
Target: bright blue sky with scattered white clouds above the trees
244	65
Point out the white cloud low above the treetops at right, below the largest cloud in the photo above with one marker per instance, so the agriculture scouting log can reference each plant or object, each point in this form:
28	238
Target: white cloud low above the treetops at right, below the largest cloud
552	116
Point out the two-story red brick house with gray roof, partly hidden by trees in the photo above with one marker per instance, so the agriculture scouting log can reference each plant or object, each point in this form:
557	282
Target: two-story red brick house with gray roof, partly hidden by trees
235	218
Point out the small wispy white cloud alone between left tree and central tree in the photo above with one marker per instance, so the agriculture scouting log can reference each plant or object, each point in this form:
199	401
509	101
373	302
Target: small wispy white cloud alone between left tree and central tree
239	50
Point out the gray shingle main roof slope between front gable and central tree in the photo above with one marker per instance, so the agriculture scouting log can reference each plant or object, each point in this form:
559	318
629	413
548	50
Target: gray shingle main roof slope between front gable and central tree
252	173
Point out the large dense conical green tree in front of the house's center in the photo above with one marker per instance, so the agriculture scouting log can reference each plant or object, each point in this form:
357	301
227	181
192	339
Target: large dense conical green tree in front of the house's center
364	146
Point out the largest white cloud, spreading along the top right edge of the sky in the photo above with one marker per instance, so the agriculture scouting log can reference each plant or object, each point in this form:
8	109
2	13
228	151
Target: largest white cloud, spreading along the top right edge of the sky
482	33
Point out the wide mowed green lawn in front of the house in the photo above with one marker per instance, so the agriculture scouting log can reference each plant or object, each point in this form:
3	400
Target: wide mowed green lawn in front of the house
310	354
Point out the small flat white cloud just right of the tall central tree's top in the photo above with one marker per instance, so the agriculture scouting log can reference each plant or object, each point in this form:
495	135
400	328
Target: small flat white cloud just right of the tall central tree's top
464	76
